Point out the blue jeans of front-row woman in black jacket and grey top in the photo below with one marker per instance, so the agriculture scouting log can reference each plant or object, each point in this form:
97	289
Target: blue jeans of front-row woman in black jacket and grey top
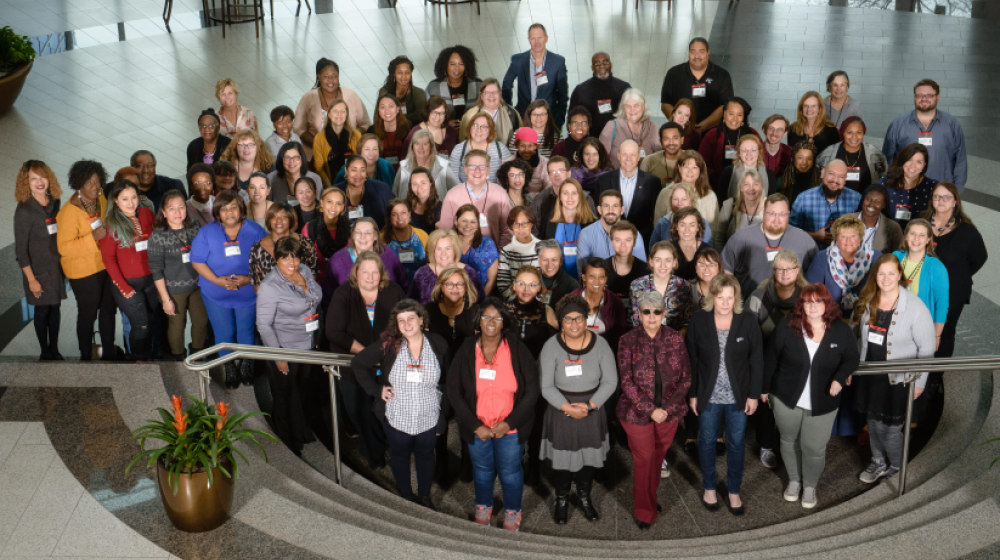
736	426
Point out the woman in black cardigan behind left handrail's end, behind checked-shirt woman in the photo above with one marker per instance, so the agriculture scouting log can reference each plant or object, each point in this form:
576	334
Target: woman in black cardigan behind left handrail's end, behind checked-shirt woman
359	310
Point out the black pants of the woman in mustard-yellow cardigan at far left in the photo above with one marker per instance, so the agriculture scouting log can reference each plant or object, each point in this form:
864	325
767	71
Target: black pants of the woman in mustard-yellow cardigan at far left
93	295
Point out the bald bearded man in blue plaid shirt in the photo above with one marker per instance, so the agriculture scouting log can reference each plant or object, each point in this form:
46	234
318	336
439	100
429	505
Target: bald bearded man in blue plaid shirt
817	208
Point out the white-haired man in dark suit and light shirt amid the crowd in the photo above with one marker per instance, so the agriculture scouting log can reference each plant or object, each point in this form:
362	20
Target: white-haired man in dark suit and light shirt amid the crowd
639	189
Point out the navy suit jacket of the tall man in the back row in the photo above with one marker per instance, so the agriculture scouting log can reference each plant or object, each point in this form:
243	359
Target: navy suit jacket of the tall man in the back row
555	92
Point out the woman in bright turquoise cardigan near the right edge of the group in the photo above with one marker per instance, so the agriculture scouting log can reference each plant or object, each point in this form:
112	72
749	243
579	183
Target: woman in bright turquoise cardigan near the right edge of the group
925	274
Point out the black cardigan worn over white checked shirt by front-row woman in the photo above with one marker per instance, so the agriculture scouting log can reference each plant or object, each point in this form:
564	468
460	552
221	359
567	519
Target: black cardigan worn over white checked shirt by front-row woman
376	356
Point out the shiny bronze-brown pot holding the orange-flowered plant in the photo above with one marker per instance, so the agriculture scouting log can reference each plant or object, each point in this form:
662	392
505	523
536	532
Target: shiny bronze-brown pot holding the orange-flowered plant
197	506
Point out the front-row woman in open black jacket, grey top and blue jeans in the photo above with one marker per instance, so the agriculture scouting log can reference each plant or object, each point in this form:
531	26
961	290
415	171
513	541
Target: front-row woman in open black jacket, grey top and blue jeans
724	388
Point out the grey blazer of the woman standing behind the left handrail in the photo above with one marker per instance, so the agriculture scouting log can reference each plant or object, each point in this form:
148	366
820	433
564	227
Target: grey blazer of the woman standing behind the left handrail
282	309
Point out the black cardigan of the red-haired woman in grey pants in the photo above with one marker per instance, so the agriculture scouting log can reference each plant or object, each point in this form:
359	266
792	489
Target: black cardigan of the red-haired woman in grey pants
787	365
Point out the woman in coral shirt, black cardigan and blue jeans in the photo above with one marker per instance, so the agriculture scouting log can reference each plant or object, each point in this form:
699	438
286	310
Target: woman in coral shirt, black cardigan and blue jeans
493	386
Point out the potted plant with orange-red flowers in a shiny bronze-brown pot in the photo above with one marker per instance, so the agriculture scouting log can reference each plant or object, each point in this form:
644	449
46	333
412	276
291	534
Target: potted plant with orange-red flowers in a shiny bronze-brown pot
196	467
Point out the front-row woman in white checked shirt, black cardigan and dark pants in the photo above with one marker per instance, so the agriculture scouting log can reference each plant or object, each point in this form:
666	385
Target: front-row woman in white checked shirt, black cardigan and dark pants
405	370
